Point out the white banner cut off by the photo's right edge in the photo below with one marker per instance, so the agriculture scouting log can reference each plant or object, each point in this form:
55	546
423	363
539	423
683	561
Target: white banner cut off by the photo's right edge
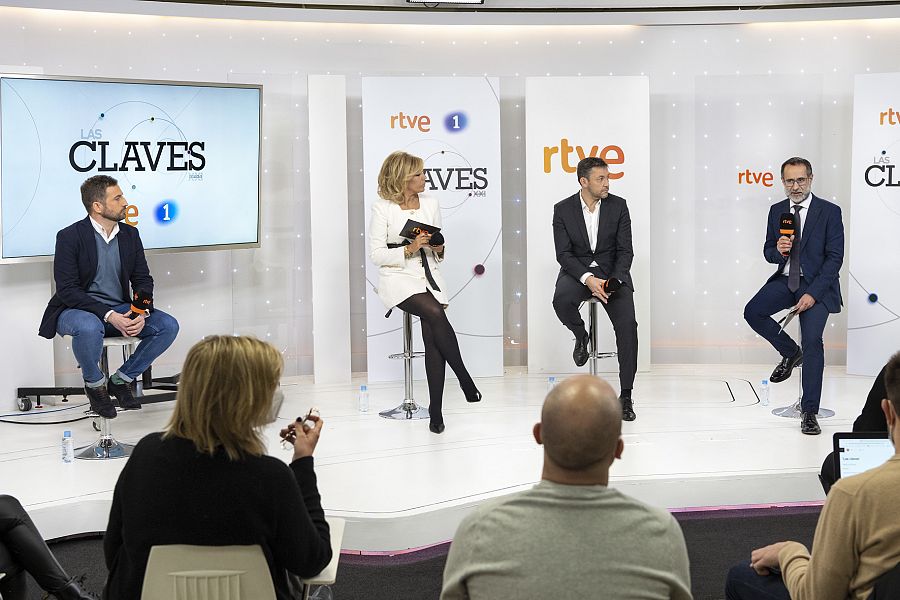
873	327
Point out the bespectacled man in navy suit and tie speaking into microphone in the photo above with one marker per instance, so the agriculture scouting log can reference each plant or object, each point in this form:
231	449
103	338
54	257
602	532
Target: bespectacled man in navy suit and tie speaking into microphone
809	263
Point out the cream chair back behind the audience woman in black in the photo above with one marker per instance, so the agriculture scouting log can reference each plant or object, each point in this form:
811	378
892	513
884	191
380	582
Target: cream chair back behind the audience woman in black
184	572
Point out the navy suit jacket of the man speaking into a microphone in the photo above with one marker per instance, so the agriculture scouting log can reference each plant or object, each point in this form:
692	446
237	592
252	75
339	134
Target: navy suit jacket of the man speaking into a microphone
821	249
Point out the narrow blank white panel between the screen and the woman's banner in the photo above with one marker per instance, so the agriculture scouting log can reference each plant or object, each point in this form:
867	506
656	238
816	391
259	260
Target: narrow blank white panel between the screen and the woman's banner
328	216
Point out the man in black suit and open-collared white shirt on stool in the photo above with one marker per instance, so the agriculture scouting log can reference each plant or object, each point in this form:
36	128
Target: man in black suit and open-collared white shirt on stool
592	234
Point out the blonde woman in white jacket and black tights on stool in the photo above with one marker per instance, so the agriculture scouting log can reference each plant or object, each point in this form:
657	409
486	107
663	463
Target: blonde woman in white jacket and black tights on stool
403	279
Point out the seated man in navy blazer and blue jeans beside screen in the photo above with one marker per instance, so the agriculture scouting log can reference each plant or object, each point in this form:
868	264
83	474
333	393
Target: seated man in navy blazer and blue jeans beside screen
95	261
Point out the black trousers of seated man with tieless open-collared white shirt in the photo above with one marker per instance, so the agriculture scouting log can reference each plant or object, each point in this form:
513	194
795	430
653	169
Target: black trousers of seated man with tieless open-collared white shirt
569	295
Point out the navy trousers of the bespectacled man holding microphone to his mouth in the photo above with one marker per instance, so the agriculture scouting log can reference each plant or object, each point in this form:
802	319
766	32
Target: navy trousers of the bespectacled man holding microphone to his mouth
775	297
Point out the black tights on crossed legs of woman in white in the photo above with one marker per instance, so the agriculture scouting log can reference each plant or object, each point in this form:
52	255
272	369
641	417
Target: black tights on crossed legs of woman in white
441	349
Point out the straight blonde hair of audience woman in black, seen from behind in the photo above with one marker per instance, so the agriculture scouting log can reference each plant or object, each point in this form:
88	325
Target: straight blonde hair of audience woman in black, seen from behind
225	395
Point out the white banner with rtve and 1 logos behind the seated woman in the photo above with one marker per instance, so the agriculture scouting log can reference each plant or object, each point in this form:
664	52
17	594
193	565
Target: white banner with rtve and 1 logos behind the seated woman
453	124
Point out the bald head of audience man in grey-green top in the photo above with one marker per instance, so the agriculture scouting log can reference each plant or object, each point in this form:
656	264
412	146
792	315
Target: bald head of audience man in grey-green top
581	423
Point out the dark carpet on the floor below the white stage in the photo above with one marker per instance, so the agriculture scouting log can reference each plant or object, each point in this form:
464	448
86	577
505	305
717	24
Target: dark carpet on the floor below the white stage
716	540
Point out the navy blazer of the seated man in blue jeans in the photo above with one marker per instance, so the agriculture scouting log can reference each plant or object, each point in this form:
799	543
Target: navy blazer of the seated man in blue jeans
75	266
